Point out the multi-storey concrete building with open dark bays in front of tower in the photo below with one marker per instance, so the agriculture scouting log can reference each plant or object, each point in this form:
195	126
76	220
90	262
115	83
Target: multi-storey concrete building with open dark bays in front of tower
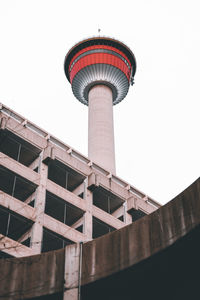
52	196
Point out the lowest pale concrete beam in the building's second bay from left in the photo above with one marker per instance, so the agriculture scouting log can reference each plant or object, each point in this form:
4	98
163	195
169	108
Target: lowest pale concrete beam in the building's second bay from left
63	229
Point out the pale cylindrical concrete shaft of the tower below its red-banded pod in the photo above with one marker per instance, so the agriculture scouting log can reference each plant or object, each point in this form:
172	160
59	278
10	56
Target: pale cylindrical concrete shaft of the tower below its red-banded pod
100	127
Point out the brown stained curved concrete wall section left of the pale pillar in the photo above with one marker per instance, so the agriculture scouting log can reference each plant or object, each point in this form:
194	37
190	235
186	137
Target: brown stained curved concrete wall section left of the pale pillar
32	276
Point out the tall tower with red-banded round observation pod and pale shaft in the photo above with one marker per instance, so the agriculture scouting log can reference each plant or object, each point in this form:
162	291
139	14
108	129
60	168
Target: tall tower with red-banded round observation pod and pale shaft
100	71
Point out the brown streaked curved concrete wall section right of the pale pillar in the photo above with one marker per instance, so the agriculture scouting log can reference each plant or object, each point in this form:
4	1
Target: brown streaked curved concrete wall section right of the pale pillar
125	247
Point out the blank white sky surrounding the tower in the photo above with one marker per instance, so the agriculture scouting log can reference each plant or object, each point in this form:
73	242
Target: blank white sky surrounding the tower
157	125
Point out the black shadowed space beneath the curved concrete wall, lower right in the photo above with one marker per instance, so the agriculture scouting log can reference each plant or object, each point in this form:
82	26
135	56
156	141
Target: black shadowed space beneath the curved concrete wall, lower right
170	274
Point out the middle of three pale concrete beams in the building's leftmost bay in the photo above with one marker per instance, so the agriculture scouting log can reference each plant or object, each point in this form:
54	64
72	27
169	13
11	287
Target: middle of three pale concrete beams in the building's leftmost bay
17	206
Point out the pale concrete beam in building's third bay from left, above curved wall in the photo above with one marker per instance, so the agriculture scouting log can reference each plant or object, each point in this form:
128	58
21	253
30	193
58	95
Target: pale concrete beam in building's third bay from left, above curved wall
107	218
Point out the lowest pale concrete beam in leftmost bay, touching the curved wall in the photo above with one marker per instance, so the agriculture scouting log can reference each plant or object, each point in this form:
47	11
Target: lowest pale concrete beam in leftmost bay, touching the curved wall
14	248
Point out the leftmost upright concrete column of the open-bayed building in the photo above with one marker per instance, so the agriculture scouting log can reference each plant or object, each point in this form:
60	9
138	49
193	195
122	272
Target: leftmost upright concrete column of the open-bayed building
37	229
